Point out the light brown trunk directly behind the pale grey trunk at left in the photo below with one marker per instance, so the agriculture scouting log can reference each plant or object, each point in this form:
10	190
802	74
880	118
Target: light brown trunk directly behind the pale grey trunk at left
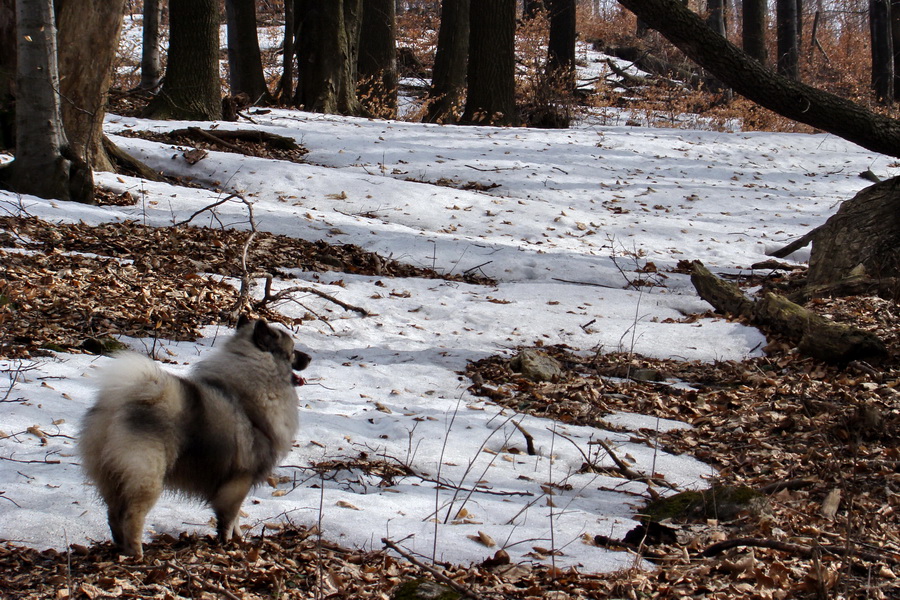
86	55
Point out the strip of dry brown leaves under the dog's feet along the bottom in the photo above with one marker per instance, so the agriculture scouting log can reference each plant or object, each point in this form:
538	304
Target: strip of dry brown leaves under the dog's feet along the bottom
286	563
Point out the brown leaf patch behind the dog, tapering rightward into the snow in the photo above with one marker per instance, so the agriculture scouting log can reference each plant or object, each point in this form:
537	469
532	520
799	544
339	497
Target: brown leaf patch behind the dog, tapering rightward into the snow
66	286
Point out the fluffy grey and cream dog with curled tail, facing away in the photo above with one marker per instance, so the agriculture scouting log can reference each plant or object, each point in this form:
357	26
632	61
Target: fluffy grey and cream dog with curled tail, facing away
212	435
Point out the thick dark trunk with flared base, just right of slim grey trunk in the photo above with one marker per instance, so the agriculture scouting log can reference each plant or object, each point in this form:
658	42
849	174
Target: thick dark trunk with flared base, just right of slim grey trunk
191	89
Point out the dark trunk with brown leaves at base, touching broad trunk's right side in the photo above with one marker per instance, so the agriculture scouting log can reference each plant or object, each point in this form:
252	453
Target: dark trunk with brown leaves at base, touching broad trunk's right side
377	65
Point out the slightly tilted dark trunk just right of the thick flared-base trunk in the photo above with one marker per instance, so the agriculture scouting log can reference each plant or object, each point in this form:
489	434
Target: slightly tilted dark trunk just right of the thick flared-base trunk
245	74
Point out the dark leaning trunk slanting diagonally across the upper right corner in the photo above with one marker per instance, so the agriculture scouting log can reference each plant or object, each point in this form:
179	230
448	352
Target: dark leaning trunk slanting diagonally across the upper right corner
747	77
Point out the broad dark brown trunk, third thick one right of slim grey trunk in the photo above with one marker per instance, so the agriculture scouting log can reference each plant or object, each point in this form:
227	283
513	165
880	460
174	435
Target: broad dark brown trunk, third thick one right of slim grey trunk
326	56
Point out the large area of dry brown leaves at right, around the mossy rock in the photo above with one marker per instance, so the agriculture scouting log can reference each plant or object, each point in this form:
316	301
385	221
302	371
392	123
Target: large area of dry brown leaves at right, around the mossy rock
829	434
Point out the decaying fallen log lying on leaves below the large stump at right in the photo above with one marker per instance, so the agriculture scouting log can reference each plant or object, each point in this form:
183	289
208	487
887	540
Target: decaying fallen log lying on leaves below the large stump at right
814	335
